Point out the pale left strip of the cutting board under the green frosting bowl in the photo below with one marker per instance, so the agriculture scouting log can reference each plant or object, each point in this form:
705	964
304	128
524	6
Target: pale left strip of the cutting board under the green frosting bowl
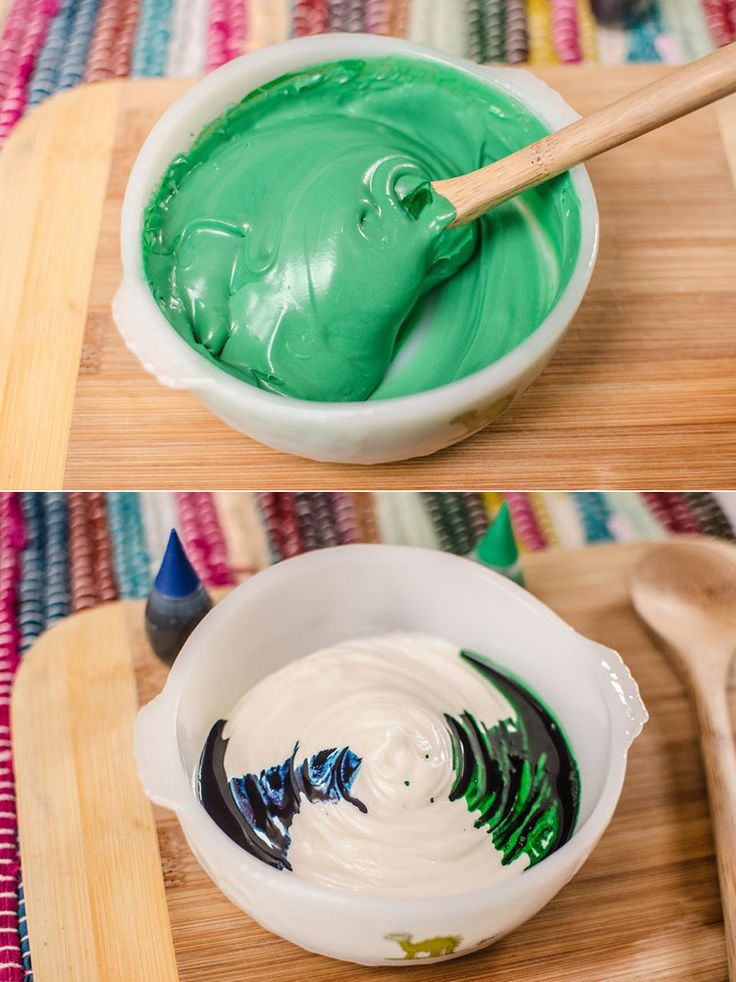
53	177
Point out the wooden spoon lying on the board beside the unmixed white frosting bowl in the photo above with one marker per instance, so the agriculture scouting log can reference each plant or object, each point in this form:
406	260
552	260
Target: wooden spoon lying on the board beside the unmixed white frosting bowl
686	593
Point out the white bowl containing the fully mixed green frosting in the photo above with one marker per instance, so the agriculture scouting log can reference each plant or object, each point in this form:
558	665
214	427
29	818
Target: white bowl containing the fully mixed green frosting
356	432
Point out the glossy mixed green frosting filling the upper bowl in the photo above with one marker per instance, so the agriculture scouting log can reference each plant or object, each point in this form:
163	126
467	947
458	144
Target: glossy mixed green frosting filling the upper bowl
297	244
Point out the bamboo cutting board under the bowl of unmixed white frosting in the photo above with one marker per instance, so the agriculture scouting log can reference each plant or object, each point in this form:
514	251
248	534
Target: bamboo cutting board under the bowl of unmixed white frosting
114	894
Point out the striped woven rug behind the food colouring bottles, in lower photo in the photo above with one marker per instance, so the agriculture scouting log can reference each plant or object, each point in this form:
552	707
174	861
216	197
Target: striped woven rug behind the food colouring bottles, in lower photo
62	552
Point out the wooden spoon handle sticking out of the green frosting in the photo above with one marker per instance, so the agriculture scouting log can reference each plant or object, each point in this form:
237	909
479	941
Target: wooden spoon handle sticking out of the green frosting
679	93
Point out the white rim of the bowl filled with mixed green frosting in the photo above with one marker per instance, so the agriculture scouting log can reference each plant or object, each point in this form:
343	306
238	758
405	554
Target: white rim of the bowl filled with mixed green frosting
178	365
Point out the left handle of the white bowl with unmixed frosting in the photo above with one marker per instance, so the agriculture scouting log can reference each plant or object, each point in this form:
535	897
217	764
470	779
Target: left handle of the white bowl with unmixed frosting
157	757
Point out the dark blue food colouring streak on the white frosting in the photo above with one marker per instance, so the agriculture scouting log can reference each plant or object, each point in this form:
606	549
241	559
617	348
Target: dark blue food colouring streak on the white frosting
256	810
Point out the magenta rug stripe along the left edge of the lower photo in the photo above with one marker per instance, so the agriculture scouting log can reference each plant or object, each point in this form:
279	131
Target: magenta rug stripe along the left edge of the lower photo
11	543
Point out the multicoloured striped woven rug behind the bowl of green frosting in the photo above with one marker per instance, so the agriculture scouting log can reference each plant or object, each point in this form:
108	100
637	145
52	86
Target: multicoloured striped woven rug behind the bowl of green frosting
47	46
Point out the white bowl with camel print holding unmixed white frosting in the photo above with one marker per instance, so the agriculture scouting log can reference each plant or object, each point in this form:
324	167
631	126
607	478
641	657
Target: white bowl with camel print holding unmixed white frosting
323	597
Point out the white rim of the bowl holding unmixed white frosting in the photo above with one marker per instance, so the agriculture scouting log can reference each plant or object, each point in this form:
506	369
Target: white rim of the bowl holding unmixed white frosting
175	788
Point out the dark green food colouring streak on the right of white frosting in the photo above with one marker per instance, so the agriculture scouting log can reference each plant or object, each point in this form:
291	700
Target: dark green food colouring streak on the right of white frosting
519	775
